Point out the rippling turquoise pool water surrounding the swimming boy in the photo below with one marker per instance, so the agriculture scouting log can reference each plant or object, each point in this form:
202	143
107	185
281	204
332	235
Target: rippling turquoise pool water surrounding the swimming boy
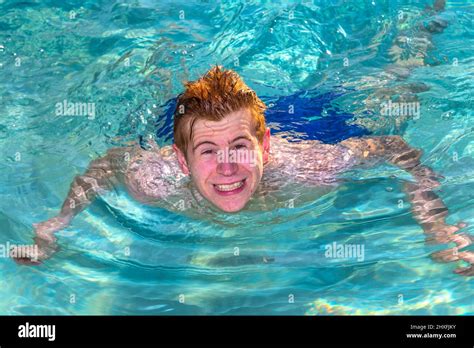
129	59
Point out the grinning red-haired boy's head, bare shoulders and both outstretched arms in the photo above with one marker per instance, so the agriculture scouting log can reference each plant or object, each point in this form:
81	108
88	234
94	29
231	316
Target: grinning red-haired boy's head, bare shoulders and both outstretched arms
223	154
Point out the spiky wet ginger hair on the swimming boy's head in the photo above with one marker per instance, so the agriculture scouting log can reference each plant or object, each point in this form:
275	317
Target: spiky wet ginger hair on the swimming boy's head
212	97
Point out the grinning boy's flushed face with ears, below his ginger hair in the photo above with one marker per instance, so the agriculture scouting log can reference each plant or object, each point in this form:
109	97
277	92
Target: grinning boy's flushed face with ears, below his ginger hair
225	159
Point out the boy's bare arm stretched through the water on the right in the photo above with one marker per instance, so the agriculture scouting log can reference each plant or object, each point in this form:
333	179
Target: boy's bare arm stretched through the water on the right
428	209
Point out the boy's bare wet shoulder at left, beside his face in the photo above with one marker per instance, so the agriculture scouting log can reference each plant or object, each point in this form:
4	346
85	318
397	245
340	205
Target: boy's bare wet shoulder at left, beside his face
153	174
